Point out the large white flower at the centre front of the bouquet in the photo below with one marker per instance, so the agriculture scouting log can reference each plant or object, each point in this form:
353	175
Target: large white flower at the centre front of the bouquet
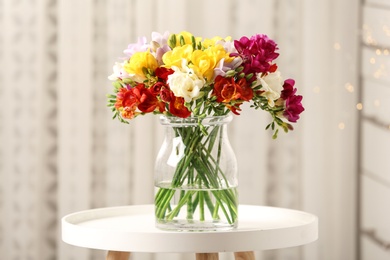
185	83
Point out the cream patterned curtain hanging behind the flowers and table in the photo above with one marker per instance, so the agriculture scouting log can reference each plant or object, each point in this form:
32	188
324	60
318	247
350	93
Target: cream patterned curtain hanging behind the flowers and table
61	152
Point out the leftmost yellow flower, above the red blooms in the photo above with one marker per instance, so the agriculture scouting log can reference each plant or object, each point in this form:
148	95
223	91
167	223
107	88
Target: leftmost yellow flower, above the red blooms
139	62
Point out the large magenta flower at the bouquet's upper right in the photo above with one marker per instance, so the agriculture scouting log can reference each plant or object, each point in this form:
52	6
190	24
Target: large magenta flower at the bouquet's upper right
257	53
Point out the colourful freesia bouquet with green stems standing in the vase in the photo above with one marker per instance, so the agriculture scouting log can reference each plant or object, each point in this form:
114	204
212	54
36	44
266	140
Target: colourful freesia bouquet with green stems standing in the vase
183	76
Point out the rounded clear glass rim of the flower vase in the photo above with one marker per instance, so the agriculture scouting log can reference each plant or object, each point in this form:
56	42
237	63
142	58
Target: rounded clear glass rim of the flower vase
194	120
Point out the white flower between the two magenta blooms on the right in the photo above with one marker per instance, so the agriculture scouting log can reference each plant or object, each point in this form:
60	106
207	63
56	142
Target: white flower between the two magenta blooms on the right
272	85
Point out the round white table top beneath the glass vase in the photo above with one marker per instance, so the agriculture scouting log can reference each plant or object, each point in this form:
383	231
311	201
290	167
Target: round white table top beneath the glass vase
132	229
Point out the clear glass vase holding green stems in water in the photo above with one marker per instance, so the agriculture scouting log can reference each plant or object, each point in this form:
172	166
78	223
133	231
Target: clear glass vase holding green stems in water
196	178
